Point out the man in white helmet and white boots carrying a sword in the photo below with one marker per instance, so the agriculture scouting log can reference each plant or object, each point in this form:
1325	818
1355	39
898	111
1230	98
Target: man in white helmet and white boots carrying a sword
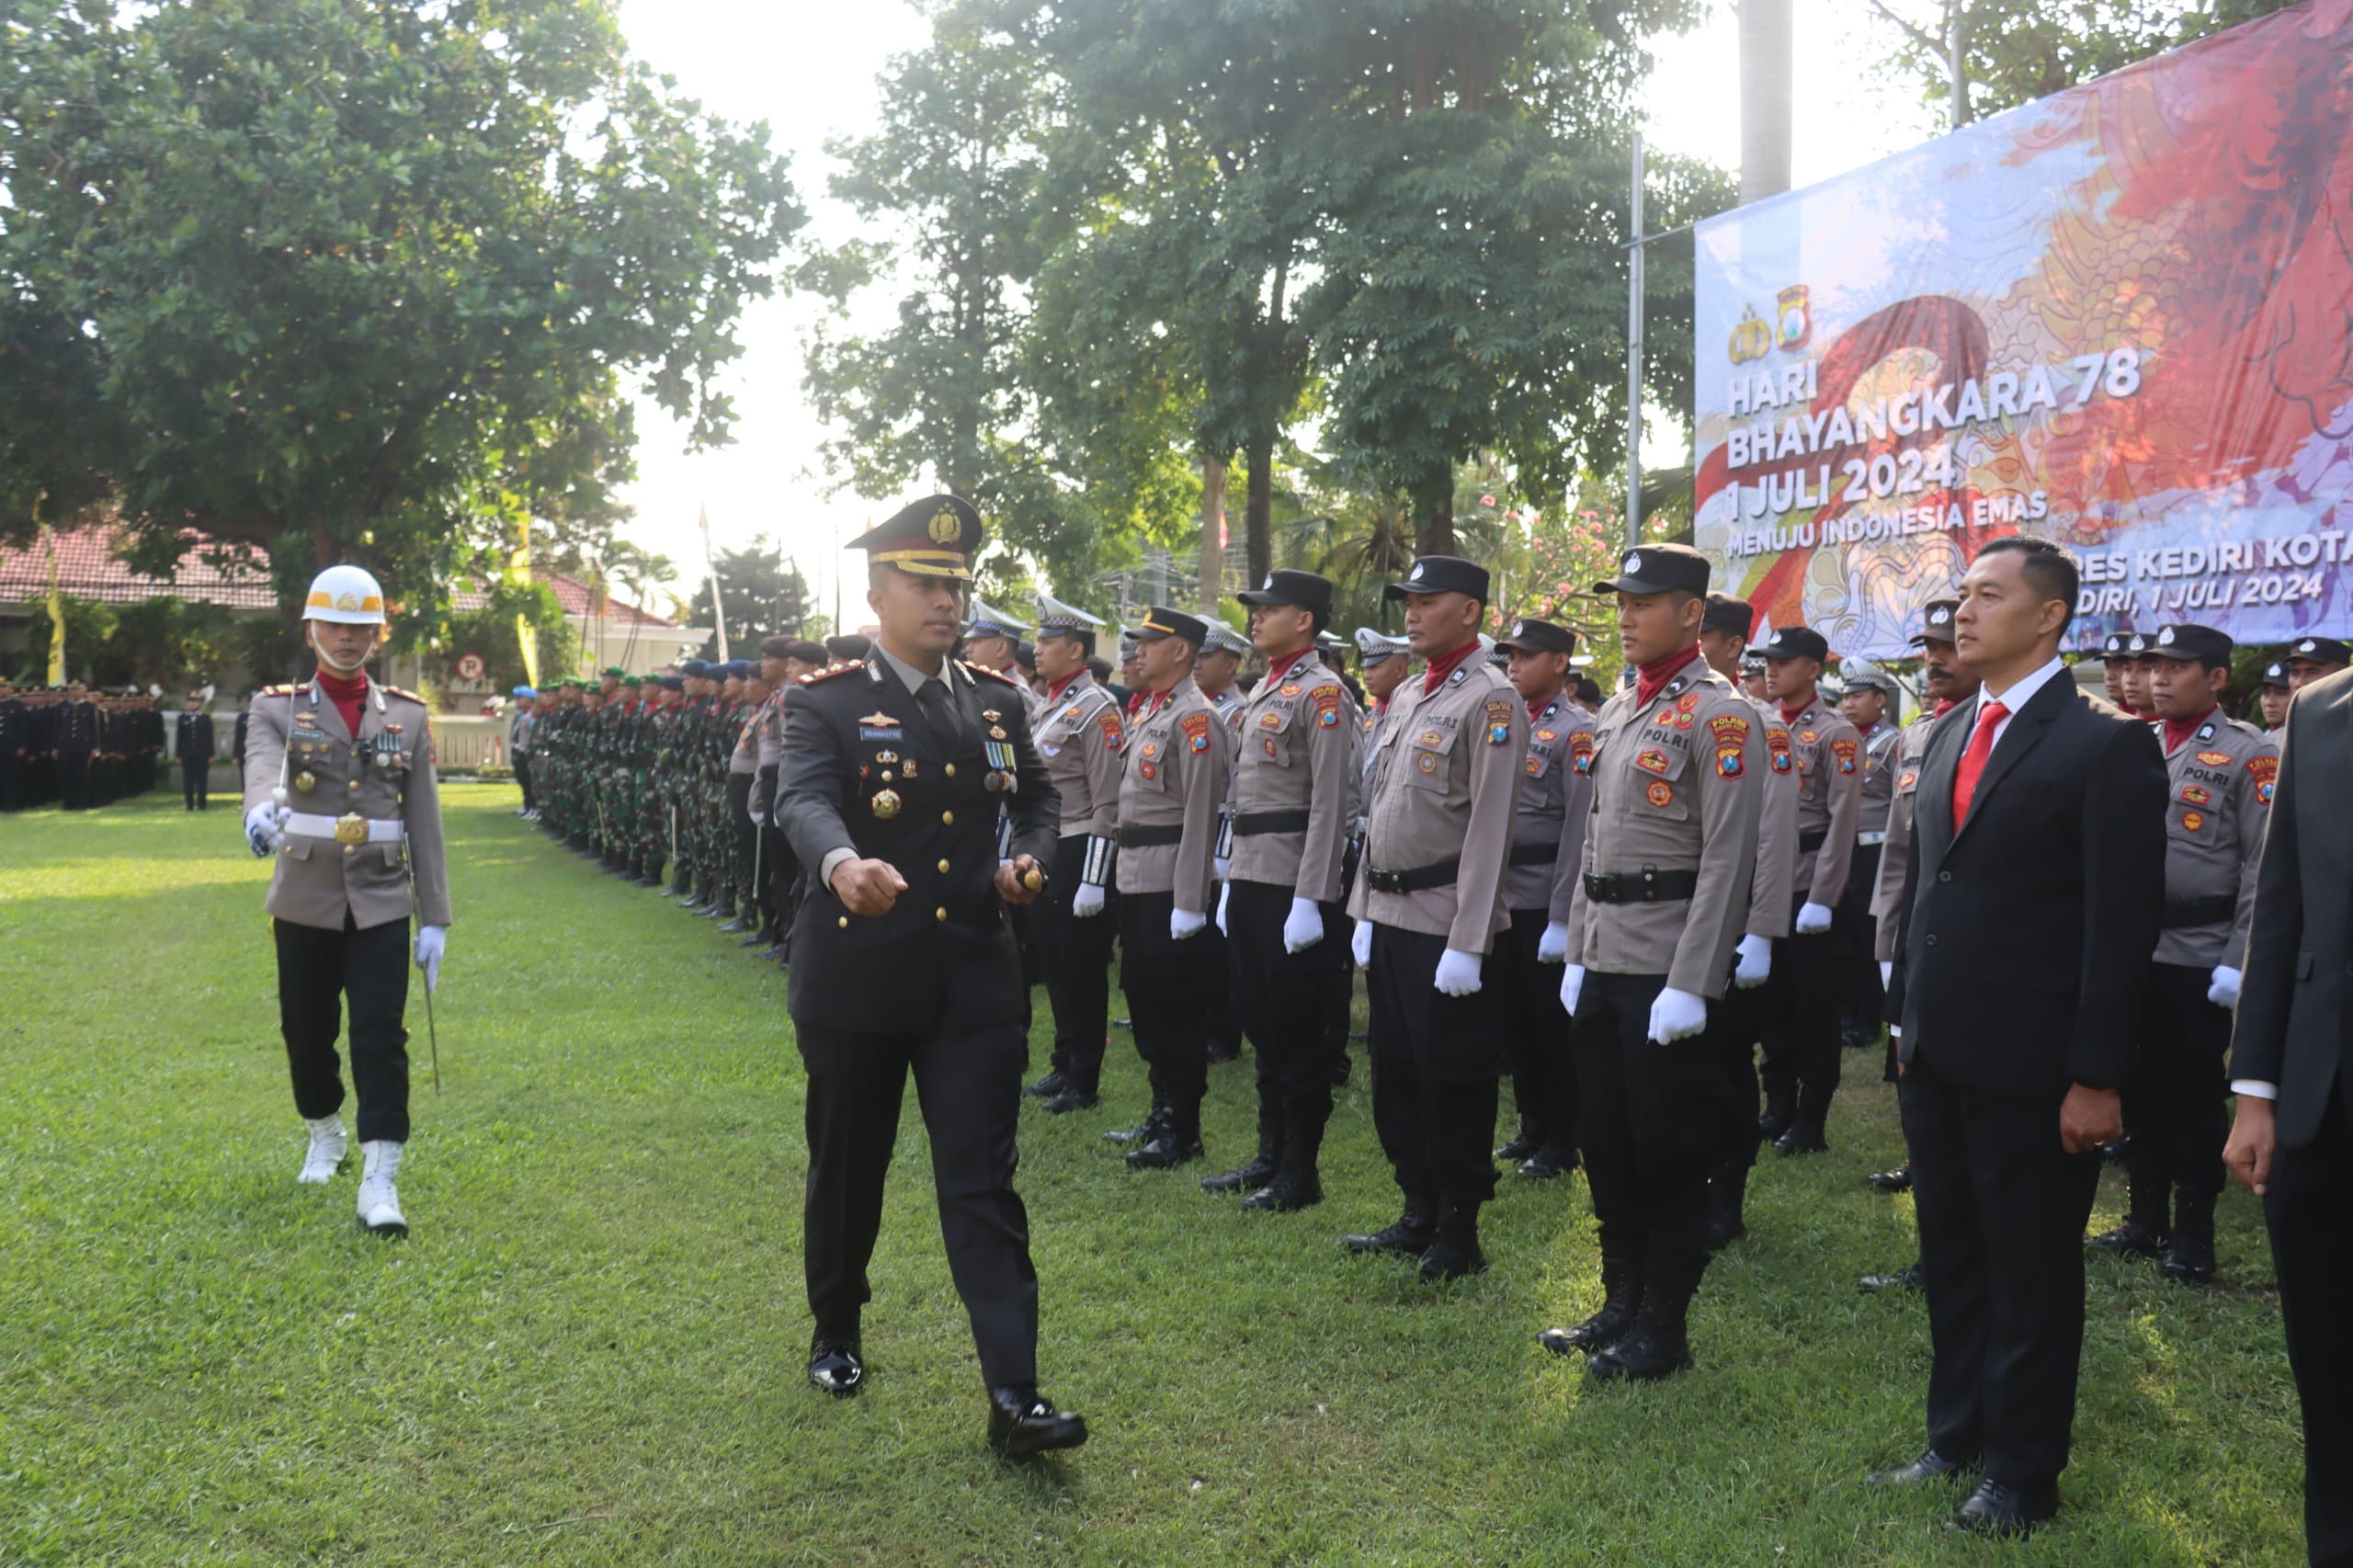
340	790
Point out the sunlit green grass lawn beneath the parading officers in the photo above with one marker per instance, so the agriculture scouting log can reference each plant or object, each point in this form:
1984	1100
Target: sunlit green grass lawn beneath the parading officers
589	1348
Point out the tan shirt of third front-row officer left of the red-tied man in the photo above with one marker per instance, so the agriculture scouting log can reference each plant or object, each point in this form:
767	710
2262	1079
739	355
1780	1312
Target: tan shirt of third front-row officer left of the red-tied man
1295	752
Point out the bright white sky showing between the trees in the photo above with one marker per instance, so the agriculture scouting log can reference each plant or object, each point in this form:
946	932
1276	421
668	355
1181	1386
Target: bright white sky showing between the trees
811	74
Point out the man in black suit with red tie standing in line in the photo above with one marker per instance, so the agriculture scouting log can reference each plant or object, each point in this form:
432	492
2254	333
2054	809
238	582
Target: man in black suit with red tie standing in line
2037	891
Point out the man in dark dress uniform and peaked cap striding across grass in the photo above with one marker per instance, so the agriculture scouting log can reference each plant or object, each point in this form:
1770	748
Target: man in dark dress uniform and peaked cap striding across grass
905	959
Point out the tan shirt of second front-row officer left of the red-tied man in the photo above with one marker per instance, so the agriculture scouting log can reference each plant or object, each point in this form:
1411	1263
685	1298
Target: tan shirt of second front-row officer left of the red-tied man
1446	785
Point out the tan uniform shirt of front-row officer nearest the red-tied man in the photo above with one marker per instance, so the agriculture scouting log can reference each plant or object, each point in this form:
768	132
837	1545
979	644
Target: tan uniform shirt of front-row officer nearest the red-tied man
1674	790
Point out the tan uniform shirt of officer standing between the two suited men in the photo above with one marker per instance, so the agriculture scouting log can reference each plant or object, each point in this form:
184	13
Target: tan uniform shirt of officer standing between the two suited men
2222	780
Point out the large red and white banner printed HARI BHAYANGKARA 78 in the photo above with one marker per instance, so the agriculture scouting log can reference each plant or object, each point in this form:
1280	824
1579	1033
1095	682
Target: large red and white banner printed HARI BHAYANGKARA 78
2119	319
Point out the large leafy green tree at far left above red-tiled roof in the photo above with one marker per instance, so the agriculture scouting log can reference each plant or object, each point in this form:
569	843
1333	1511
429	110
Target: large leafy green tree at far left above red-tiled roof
359	279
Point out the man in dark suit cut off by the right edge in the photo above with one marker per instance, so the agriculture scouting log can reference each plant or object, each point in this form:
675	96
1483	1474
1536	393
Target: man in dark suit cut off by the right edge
2293	1134
